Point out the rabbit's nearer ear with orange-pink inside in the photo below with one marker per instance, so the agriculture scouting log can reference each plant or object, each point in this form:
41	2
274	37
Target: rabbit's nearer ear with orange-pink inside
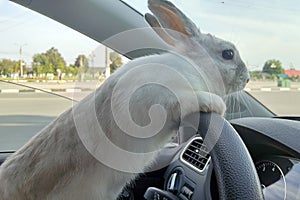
172	18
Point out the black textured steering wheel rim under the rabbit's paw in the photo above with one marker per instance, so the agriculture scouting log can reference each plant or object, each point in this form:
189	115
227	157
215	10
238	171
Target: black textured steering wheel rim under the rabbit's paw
235	179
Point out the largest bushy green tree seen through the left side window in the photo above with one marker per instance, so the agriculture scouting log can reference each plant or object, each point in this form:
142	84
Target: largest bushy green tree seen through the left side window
48	62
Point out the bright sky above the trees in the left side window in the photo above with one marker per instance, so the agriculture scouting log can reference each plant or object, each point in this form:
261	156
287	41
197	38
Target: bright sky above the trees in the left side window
36	33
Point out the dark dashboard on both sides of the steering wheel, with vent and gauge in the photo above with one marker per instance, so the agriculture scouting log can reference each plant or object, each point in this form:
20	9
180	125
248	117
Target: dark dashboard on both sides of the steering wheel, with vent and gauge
274	146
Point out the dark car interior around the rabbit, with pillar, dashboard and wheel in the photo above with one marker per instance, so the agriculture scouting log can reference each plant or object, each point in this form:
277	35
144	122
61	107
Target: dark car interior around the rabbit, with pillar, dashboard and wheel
257	151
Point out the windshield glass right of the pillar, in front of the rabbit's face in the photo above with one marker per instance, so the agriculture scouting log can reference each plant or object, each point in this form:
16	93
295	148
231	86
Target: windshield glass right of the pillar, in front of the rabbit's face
266	34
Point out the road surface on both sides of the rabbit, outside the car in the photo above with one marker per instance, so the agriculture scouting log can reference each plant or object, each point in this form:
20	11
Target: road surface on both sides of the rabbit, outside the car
22	115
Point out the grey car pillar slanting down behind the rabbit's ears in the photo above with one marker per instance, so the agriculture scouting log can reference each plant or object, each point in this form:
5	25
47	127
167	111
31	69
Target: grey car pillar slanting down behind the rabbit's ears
100	20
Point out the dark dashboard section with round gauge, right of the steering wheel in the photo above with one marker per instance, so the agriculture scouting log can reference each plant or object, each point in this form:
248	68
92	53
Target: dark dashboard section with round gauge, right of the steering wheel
274	145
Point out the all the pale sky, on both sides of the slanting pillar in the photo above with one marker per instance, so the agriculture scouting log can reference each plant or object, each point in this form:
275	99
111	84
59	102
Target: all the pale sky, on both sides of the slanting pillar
261	30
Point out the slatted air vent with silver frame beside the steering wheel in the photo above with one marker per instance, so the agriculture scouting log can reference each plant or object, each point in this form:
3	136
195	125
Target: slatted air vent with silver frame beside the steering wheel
196	154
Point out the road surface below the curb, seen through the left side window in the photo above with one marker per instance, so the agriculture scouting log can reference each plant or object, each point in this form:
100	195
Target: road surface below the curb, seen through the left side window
22	115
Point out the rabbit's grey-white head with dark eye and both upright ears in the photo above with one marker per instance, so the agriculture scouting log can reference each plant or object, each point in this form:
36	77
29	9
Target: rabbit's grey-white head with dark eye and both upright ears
219	59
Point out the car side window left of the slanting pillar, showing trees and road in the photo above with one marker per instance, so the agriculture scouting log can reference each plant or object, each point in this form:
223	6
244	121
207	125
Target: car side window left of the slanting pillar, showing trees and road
45	68
